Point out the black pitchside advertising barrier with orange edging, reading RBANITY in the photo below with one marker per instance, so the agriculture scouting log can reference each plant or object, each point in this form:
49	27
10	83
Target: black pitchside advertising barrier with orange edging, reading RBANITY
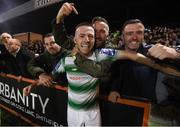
47	106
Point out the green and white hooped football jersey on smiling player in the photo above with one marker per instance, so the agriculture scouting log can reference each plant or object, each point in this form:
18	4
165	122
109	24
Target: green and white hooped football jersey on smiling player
83	89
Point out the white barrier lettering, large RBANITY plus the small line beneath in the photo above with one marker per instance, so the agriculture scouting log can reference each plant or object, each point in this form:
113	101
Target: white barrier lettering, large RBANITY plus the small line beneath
13	96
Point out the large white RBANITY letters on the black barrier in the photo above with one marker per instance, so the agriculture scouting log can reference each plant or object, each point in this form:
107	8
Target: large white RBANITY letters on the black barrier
17	96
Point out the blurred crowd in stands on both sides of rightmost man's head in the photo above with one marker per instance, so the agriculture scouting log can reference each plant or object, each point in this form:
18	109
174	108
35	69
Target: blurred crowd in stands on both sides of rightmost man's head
164	35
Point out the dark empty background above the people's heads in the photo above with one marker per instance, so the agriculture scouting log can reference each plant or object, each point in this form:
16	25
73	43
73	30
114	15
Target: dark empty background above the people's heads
151	12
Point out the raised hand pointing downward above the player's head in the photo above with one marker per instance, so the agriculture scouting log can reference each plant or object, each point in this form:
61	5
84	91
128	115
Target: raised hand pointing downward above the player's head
65	10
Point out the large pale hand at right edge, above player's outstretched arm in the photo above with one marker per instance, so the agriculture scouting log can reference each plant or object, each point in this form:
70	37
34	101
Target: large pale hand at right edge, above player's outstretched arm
162	52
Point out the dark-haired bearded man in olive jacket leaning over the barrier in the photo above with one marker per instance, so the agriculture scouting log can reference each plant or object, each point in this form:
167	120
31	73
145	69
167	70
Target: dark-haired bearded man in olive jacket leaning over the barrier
41	66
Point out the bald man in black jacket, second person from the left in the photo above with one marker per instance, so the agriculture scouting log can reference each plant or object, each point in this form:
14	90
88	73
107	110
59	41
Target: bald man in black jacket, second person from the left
17	59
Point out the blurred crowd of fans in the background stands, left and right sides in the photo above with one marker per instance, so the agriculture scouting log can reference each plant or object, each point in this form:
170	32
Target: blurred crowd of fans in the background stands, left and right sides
166	36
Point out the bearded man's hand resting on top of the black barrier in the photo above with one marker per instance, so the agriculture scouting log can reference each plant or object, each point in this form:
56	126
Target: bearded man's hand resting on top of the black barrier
45	80
